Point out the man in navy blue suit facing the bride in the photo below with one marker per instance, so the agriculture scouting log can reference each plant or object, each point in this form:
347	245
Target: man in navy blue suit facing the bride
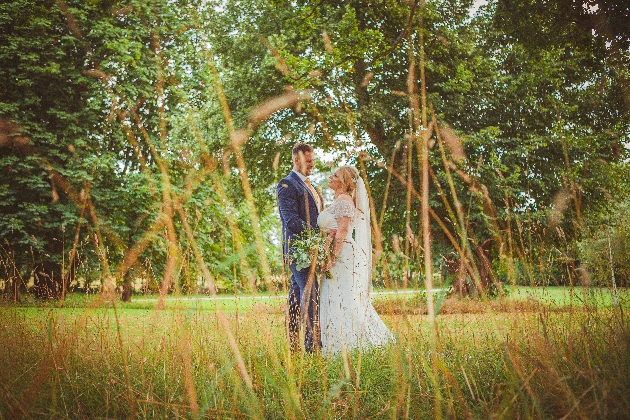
299	204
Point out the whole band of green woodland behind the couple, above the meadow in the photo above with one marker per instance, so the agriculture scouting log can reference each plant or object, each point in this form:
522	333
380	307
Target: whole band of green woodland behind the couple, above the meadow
140	141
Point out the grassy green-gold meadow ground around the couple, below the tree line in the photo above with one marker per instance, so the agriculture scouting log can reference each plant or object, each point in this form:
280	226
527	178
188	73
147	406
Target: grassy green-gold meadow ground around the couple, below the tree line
536	353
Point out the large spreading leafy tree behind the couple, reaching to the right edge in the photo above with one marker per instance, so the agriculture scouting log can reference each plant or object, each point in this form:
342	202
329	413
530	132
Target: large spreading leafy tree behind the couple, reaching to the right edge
526	115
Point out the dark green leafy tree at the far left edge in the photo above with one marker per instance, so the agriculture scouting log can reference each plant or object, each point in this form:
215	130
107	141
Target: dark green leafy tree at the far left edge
44	90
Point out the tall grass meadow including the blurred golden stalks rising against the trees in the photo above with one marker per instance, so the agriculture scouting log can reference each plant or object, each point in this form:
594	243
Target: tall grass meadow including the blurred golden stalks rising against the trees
517	357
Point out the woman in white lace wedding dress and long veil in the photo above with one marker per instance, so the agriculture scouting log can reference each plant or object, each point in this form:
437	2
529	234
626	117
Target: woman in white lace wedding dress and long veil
347	318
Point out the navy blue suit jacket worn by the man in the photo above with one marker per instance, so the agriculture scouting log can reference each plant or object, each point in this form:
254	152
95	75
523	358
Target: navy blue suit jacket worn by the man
297	208
